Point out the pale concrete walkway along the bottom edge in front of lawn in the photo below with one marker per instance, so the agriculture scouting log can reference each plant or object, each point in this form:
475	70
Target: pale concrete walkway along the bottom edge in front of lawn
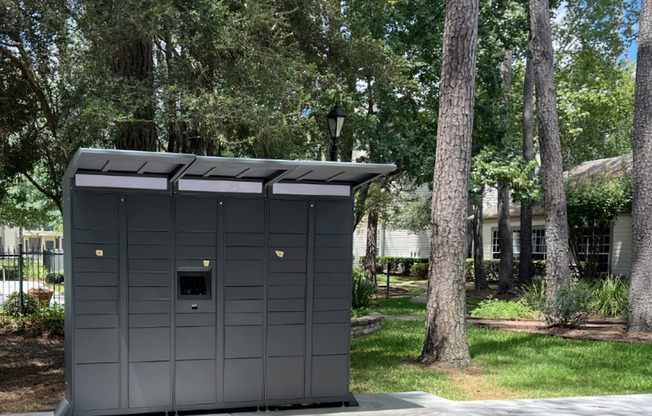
421	404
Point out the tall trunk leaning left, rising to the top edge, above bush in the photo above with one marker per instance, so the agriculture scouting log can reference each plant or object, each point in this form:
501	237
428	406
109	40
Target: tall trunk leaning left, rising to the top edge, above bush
558	271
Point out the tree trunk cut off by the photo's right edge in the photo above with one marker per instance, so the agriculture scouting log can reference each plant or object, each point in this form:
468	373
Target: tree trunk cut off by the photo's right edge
640	292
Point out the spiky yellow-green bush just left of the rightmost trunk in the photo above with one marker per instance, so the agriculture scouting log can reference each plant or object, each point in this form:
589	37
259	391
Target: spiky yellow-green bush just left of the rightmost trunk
610	297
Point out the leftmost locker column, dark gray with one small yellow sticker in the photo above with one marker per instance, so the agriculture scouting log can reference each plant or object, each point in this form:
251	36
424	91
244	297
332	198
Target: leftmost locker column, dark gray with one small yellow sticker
96	301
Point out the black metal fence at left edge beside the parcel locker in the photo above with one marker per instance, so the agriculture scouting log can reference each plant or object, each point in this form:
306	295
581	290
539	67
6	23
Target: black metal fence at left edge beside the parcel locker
30	279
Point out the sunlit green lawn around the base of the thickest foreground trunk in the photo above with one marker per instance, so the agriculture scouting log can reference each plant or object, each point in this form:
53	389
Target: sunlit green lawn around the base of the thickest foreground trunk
505	365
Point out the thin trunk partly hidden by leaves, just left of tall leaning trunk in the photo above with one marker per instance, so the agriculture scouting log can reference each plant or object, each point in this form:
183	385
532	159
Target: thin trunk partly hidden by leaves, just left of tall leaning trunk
525	257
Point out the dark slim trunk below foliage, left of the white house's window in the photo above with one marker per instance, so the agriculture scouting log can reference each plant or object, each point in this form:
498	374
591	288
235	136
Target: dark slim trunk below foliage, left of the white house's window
506	266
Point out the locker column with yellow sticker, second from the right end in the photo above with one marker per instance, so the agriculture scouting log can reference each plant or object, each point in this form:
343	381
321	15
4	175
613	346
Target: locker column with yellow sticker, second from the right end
286	307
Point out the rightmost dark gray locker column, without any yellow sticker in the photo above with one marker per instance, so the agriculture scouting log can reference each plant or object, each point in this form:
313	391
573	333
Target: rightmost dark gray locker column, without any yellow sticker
332	298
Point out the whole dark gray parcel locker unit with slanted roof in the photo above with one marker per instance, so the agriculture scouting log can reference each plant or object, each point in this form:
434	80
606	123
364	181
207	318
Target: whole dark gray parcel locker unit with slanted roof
196	283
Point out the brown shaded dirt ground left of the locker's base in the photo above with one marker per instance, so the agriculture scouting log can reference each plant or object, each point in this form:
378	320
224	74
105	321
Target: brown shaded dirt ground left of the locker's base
31	372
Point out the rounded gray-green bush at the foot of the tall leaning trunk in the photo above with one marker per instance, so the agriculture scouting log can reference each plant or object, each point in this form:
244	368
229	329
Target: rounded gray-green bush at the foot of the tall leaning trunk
570	306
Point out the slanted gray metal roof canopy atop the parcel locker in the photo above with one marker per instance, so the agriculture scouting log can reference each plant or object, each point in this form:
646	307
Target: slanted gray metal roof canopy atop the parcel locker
175	166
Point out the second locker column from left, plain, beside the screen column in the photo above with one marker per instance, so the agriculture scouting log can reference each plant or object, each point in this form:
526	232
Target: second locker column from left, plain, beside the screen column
149	278
